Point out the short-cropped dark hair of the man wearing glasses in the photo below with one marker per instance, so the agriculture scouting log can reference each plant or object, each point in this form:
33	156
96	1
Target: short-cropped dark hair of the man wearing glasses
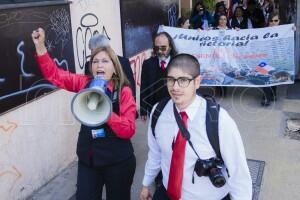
187	62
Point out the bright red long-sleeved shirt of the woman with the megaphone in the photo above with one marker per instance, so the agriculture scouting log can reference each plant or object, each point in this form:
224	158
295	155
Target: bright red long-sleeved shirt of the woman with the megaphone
123	125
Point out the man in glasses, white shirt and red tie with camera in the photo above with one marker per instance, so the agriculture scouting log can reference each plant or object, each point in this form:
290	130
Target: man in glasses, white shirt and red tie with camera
183	80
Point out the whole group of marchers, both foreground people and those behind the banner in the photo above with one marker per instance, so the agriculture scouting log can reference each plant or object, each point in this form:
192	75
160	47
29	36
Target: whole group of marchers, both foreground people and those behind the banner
191	164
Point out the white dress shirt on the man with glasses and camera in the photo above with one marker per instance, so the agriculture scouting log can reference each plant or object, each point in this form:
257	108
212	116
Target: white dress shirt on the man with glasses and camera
238	185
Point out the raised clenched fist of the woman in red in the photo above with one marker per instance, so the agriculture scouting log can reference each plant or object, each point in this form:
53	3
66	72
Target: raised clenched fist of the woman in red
38	38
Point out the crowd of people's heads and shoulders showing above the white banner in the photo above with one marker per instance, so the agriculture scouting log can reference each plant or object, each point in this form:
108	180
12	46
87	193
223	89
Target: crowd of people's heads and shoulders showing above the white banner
243	14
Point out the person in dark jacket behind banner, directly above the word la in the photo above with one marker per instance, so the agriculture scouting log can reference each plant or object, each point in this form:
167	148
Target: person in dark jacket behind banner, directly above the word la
240	20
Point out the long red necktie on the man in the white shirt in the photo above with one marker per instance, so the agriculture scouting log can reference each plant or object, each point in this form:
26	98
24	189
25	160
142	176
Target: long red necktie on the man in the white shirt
177	162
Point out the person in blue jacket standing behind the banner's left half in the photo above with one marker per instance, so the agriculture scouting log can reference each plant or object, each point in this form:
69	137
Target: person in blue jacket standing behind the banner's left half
200	18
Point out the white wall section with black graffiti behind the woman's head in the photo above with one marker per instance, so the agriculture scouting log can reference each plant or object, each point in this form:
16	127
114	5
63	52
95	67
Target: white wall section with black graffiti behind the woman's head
97	15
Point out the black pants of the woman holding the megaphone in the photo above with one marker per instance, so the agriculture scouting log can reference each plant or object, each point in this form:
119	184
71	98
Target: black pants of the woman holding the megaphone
117	179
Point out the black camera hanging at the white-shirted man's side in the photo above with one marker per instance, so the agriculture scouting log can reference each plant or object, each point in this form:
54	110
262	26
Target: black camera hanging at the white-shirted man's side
213	169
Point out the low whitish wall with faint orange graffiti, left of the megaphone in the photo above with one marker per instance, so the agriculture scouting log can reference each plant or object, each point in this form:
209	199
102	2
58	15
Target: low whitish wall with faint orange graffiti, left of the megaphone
37	141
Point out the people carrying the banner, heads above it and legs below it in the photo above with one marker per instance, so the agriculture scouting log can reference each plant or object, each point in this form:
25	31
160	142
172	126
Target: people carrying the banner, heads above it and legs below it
244	14
